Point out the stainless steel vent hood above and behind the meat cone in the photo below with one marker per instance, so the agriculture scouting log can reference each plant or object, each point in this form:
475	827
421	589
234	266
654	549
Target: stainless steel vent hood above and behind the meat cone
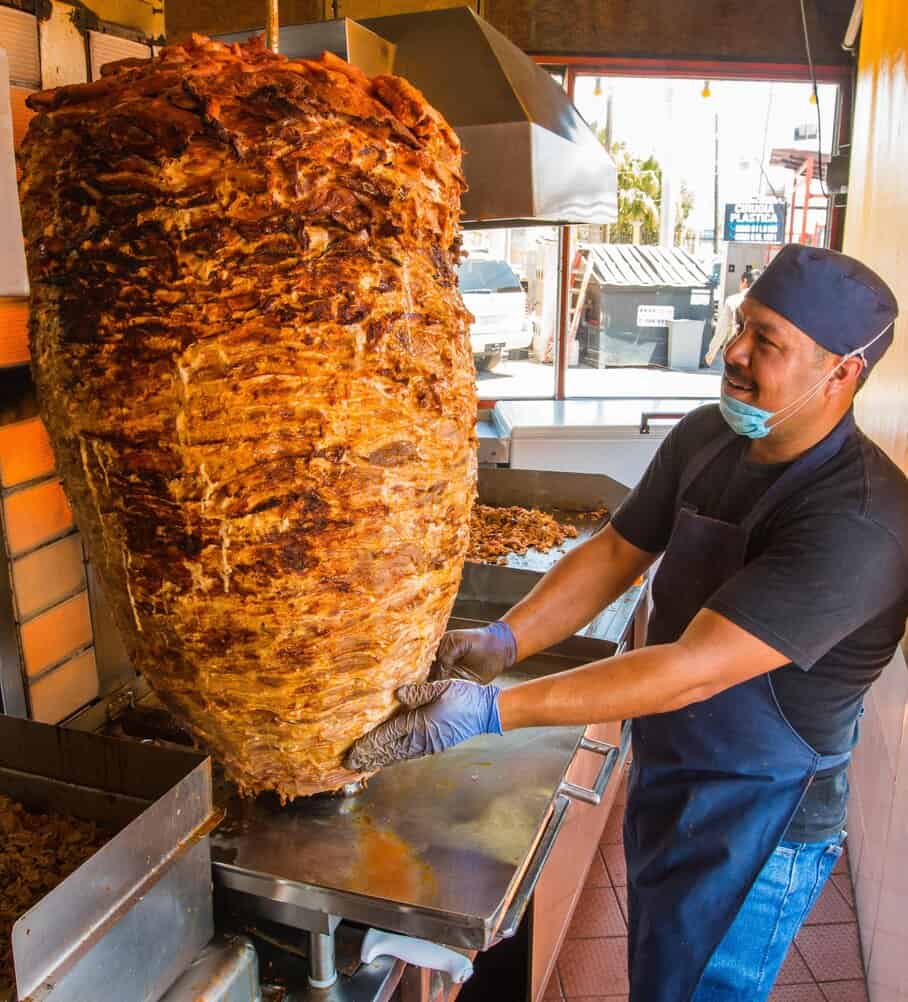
530	157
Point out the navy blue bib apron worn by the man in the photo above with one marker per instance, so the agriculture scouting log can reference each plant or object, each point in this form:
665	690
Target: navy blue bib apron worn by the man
713	786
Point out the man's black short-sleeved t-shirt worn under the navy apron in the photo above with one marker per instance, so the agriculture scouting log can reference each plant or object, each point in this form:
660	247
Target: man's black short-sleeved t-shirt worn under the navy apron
826	583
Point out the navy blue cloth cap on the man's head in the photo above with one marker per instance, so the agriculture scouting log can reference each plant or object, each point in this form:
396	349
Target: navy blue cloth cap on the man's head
835	300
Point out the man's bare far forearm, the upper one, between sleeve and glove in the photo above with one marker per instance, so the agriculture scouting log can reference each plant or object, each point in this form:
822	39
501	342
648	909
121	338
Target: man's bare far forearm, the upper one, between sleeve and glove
580	587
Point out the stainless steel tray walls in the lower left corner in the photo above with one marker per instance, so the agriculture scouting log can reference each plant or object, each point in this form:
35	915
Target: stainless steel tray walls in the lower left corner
141	908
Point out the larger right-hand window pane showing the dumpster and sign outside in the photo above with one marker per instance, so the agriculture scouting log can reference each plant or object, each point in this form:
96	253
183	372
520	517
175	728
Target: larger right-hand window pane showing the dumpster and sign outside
713	178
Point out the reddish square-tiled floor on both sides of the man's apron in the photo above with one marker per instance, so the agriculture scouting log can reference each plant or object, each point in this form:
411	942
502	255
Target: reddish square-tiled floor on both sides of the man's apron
823	966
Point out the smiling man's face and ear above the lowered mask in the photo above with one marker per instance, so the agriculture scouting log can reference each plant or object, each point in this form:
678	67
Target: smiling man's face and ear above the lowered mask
770	363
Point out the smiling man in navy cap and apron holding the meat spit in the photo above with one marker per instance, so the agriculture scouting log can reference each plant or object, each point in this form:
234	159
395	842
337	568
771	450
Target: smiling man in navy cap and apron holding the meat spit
781	597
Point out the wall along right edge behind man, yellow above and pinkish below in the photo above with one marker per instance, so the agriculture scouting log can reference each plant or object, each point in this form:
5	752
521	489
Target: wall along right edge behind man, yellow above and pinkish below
876	231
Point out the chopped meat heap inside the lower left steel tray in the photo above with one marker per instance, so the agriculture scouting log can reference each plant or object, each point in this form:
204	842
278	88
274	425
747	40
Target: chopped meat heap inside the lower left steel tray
38	851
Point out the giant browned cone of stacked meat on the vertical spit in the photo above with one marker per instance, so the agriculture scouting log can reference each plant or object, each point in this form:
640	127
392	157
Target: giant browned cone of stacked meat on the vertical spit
255	366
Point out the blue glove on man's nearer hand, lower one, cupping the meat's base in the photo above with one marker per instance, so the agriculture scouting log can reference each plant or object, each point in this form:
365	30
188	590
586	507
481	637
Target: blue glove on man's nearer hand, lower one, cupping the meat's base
437	717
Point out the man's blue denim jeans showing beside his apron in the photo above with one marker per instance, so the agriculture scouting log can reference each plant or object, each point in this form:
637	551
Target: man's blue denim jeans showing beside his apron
747	961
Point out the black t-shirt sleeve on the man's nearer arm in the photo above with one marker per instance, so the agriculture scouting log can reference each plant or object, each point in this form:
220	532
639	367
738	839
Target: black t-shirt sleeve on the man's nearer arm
819	580
